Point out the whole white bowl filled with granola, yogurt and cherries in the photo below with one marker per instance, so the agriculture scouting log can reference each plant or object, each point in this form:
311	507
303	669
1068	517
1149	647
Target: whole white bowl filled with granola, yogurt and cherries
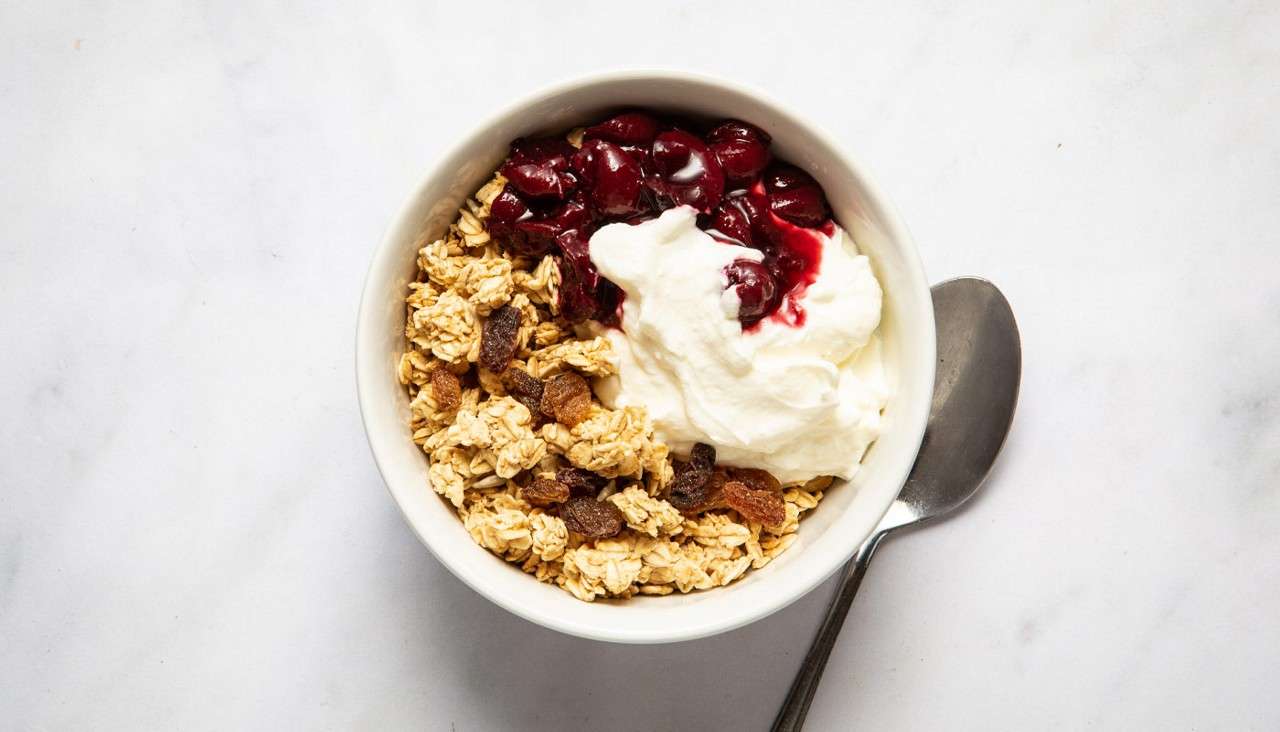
646	358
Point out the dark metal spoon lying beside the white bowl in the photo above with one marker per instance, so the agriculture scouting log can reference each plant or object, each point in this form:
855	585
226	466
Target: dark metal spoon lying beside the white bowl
975	395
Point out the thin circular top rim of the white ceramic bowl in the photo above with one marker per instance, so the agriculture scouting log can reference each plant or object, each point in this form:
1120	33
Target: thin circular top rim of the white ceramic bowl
365	370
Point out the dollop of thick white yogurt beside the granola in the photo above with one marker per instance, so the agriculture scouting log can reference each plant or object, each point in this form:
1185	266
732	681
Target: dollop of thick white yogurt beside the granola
797	401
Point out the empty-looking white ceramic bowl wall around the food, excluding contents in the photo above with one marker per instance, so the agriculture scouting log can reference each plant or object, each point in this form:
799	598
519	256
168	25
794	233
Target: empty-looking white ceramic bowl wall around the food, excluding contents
829	536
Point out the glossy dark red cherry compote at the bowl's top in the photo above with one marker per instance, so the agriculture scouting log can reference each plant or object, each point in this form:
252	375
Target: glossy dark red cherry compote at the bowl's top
633	167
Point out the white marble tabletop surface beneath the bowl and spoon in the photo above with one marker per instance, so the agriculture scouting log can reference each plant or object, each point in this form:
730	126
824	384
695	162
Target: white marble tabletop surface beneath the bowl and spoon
193	533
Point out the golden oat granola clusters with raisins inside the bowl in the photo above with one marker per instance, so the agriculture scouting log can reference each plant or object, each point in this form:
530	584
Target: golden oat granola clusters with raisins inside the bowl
541	473
